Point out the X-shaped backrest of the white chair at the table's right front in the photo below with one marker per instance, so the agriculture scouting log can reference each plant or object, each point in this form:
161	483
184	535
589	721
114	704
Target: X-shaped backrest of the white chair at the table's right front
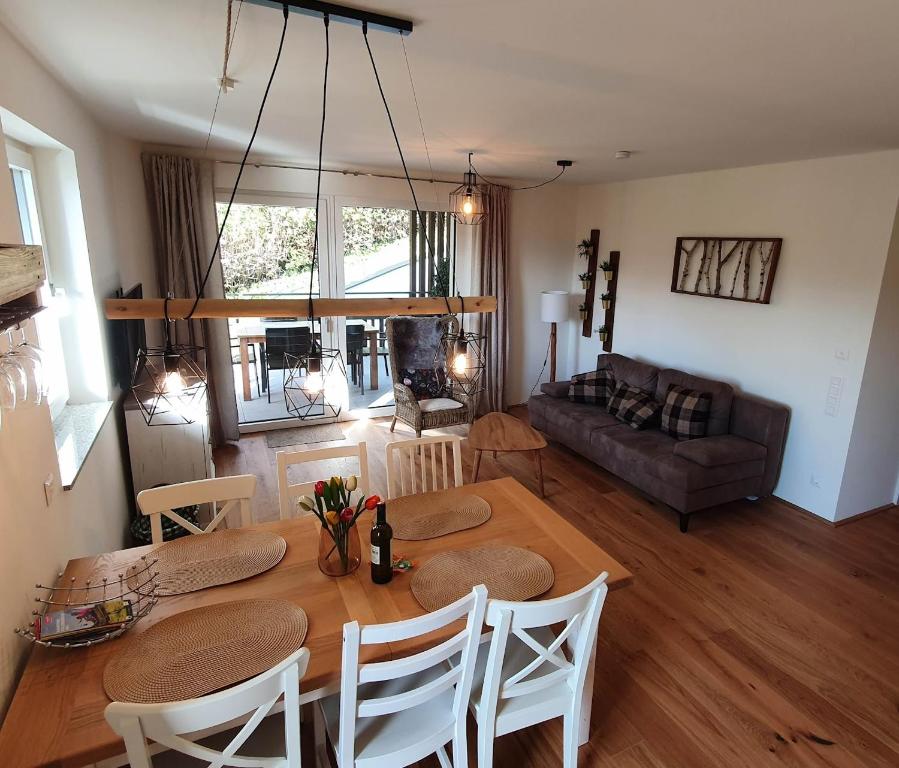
580	611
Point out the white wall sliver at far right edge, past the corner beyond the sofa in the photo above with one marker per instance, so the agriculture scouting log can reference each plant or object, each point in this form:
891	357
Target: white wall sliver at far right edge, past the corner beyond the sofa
872	465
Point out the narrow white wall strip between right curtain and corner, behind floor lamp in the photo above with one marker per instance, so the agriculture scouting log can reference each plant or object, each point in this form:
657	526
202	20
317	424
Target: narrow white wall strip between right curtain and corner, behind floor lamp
542	241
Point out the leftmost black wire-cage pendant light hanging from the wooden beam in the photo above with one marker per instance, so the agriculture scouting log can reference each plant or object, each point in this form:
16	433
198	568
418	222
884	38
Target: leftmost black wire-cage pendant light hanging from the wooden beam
169	383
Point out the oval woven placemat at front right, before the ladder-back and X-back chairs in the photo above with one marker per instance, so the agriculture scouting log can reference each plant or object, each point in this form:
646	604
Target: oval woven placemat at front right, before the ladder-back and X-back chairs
509	573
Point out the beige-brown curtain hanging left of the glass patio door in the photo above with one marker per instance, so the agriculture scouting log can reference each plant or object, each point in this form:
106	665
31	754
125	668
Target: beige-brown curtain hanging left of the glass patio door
181	195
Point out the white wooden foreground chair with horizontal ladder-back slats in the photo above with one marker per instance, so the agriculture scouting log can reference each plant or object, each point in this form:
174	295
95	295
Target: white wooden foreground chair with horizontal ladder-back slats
393	713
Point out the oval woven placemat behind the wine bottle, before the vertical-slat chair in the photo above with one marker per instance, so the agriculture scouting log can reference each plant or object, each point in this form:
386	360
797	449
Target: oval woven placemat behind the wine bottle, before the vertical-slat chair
414	518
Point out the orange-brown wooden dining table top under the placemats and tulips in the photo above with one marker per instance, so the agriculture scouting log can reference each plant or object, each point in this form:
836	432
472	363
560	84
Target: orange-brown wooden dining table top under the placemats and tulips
56	716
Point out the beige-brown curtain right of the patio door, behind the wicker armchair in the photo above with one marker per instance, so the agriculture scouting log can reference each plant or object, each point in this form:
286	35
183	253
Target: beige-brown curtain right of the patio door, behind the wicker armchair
492	279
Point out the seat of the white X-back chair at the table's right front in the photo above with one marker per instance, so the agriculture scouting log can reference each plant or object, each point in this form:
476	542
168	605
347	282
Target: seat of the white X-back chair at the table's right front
513	713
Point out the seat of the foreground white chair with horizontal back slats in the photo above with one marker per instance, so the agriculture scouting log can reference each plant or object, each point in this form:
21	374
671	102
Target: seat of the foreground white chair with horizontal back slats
387	735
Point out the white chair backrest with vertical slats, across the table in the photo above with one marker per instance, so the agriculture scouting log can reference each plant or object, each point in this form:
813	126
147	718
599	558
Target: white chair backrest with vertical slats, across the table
404	478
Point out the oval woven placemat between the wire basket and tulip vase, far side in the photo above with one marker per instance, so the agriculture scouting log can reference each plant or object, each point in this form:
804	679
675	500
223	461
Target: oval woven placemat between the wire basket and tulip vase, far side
209	559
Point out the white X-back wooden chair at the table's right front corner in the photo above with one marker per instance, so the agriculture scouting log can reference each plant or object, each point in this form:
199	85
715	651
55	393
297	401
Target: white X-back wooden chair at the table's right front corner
527	677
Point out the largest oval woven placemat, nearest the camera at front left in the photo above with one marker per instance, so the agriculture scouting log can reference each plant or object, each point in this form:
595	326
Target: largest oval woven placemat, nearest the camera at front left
204	650
